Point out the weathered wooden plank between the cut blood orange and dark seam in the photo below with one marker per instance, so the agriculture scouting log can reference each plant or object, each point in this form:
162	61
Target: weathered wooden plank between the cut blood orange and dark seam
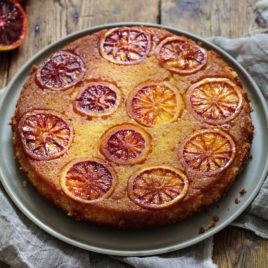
52	19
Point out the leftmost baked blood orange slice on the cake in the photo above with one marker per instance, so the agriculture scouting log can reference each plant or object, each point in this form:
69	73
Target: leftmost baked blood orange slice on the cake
45	135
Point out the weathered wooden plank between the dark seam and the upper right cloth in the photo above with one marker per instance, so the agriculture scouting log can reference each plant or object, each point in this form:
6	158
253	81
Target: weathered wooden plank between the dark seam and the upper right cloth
227	18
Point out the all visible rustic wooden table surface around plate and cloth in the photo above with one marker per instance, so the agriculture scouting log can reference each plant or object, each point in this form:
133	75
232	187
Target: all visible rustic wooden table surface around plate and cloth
49	20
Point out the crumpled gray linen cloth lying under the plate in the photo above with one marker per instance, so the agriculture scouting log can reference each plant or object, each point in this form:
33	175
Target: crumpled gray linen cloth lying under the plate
22	244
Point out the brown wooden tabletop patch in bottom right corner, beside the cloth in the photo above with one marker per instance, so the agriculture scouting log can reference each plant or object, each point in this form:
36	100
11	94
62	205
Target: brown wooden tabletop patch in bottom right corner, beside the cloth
238	248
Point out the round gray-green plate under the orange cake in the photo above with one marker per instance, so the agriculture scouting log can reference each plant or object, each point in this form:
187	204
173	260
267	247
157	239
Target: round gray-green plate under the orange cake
130	243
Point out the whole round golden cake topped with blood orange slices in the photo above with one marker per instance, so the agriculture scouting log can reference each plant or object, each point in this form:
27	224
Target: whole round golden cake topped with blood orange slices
132	127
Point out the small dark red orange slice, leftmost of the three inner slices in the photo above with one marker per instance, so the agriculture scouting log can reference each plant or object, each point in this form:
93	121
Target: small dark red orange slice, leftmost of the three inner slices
98	99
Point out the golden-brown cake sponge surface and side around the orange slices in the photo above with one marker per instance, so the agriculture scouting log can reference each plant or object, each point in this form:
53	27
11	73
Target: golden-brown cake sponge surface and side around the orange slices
118	210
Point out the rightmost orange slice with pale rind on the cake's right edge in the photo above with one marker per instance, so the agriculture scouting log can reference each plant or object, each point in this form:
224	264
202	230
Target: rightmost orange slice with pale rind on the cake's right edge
214	100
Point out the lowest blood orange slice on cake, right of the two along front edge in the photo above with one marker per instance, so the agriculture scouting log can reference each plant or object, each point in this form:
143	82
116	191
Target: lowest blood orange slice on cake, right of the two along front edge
157	187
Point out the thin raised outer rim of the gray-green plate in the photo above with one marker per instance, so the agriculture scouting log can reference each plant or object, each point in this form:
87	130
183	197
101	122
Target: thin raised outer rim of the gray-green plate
148	252
